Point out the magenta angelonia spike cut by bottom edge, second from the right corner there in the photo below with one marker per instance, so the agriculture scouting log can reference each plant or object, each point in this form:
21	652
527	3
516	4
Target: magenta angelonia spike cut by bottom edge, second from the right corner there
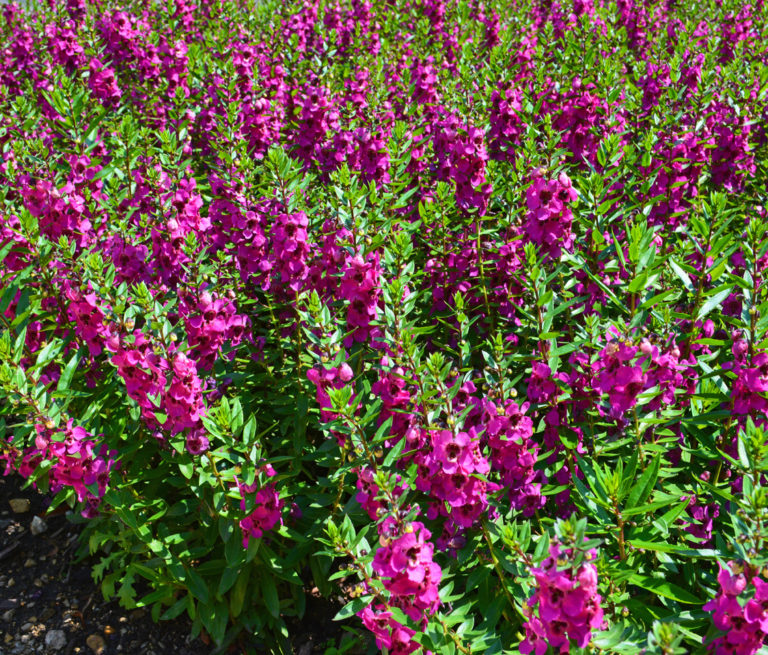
565	607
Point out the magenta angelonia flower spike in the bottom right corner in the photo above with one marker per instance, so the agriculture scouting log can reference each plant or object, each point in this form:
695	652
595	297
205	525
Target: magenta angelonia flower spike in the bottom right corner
740	611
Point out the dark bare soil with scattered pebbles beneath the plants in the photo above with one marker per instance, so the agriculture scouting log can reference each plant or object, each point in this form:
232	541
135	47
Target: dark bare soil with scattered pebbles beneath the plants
43	590
